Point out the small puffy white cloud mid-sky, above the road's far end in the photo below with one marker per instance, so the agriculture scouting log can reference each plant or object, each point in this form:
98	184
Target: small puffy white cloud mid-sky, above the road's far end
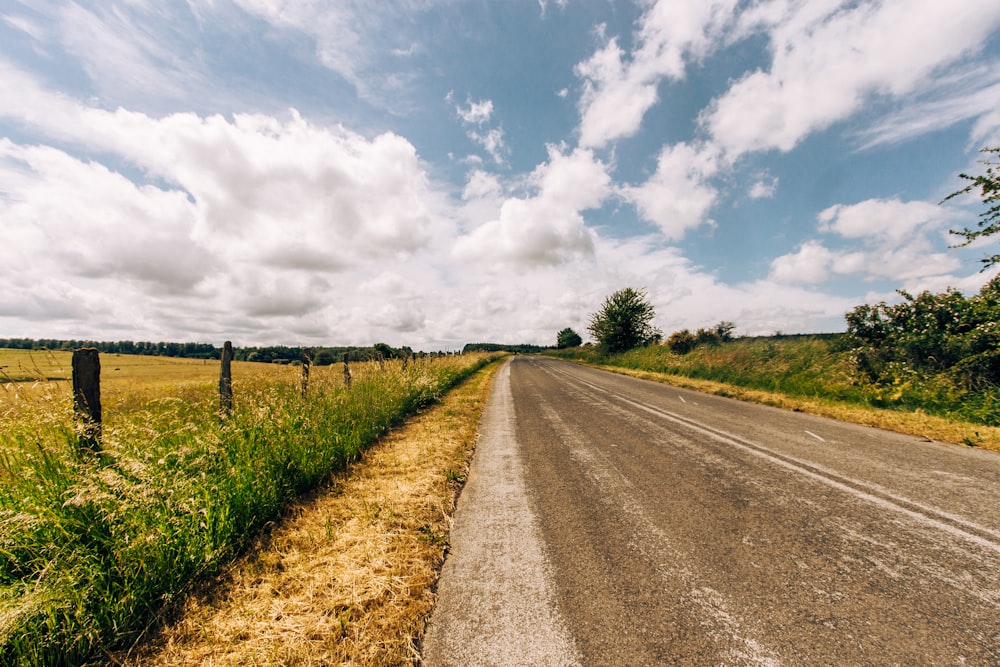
546	228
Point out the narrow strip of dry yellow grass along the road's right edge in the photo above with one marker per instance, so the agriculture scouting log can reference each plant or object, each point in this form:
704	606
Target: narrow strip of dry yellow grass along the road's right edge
911	423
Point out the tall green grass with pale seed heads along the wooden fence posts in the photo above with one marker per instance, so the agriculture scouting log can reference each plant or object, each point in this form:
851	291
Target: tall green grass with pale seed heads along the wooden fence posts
92	552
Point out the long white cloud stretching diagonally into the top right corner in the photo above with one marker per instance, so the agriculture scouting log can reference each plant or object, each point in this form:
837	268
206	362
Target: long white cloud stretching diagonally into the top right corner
829	58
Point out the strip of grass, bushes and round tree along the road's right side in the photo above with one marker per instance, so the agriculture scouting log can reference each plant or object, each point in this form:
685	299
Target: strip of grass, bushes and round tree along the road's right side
933	356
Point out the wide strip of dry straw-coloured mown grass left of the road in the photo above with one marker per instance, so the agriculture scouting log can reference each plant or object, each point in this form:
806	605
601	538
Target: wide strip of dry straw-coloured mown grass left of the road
346	578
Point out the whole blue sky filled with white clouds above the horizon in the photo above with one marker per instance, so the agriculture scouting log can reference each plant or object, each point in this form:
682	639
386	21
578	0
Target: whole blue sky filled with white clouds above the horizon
436	172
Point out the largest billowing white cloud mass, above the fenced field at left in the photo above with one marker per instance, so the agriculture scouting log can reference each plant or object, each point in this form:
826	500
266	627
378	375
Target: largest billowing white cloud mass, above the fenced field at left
252	216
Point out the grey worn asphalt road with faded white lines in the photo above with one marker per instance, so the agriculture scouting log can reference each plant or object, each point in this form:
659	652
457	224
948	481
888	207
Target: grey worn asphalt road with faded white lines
612	521
